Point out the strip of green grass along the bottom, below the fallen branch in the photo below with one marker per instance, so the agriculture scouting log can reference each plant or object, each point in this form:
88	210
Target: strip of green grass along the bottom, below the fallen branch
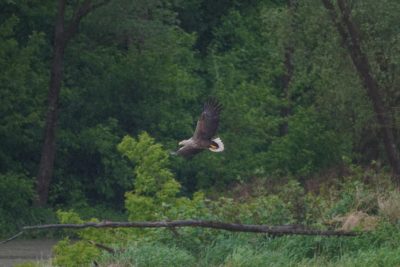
381	248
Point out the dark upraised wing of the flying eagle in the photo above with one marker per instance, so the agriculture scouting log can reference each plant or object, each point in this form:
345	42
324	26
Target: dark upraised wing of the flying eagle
207	124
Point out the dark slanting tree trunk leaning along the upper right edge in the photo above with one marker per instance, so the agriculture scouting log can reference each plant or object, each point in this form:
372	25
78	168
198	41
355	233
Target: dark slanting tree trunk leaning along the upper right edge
351	39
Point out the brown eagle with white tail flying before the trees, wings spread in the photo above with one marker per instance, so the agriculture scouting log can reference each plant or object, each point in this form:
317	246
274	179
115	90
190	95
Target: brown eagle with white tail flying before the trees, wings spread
203	136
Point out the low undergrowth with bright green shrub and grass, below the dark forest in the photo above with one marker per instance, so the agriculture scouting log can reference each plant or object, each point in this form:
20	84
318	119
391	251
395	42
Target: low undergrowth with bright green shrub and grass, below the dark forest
364	201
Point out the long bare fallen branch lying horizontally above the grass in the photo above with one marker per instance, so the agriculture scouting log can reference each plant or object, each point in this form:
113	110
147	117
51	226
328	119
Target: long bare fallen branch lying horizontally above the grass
233	227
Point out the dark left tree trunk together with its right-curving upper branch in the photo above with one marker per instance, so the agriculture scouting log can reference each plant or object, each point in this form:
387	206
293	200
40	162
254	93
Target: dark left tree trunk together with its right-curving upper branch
62	35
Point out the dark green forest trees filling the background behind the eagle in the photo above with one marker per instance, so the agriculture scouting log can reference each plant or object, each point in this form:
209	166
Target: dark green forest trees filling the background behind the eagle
307	87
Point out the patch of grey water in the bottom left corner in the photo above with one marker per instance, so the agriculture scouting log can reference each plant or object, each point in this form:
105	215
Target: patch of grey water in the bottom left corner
19	251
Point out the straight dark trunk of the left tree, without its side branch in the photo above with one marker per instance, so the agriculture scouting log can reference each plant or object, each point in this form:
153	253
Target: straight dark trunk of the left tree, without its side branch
49	146
